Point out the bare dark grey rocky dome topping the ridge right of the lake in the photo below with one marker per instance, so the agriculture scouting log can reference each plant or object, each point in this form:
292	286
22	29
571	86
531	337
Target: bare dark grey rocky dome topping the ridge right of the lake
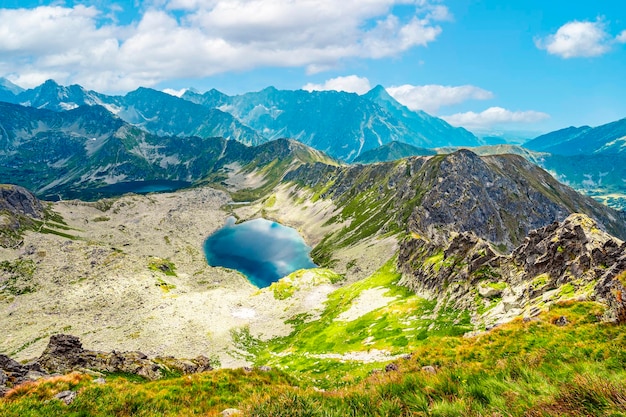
466	193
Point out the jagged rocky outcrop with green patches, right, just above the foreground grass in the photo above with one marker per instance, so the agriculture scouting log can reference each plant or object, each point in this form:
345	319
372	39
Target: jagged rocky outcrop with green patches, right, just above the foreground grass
573	259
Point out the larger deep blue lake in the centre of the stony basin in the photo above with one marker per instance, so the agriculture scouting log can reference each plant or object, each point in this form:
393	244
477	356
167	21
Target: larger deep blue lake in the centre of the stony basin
262	250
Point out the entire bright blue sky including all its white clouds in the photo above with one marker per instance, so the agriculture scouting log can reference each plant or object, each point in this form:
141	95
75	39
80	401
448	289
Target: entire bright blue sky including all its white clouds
486	65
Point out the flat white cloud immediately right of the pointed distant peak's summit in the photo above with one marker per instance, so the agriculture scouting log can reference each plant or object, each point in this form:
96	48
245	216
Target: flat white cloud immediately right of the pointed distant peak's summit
431	97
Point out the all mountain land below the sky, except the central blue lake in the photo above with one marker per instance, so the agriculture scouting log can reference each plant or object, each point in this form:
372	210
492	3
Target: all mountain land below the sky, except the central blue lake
472	273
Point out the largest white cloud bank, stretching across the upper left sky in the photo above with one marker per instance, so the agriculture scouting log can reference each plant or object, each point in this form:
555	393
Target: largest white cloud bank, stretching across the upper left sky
199	38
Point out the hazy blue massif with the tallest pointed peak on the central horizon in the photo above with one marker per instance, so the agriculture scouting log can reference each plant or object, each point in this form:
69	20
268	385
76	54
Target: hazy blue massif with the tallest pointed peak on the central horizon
343	125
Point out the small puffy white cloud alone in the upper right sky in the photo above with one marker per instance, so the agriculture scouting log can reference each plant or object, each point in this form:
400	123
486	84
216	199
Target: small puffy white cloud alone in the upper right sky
579	39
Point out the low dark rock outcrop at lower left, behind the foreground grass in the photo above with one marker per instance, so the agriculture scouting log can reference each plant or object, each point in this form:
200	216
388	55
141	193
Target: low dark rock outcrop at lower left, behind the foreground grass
65	354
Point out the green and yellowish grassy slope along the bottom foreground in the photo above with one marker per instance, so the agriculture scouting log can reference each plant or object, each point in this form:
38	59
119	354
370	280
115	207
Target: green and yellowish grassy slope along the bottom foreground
524	368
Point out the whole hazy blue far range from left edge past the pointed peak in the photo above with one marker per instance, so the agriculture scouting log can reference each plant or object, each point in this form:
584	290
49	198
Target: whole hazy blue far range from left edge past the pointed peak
343	125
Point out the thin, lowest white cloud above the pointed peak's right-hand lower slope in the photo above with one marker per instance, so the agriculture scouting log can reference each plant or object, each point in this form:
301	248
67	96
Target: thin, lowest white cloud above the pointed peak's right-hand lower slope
494	116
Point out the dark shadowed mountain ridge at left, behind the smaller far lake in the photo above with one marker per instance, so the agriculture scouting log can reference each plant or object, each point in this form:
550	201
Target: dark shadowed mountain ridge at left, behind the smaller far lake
84	149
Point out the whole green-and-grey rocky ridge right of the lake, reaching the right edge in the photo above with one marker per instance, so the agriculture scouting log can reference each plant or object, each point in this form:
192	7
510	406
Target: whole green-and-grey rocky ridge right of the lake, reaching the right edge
499	198
